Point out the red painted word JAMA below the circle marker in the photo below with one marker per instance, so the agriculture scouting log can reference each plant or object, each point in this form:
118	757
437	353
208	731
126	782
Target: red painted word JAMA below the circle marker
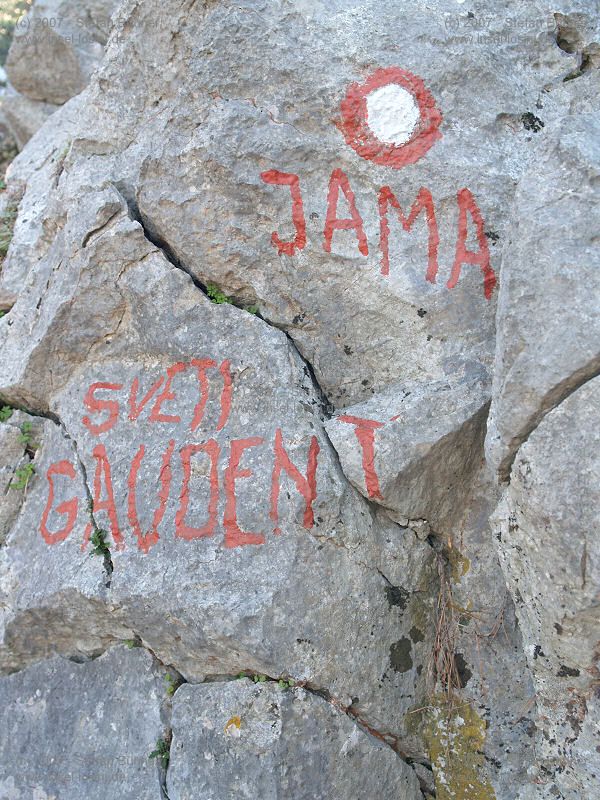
467	208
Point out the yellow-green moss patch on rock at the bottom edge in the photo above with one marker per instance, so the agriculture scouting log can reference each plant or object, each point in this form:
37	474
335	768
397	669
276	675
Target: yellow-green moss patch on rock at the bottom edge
455	737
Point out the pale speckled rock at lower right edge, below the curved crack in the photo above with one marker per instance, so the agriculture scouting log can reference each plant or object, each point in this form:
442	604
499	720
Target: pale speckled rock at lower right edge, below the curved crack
546	530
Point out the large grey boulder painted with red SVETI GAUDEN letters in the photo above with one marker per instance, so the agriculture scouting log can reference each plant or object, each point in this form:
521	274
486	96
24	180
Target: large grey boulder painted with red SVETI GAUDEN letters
177	405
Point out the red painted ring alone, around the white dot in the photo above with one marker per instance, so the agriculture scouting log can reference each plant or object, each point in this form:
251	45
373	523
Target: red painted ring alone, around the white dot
360	137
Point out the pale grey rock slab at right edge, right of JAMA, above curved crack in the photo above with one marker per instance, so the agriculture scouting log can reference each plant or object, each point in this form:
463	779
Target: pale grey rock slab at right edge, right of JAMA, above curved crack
549	312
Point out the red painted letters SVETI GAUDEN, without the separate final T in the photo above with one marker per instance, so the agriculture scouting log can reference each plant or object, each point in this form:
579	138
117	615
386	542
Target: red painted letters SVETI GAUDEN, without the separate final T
103	415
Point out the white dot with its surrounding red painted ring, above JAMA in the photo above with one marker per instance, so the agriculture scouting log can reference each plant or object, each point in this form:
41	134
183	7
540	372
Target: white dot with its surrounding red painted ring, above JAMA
391	118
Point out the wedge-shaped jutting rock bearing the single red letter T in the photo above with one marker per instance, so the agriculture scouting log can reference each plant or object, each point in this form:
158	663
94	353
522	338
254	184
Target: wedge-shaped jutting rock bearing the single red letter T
414	447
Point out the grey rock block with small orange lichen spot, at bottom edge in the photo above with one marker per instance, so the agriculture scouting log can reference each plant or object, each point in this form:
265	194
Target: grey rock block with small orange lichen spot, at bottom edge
247	740
